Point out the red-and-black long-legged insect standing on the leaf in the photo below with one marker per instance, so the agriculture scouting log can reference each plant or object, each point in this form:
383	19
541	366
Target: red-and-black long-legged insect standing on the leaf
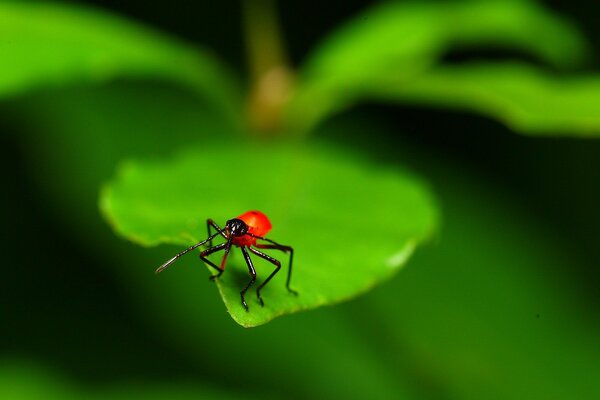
243	232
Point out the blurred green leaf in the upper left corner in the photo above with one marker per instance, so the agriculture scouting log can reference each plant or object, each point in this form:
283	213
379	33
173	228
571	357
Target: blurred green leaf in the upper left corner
48	45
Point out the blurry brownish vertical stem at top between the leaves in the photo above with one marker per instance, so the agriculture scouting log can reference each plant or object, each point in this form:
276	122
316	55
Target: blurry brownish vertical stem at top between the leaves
270	77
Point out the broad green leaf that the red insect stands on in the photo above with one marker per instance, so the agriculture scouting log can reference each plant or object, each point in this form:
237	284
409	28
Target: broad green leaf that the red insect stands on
351	224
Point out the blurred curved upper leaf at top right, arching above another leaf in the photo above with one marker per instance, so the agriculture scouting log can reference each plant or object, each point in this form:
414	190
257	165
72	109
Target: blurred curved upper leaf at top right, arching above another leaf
404	39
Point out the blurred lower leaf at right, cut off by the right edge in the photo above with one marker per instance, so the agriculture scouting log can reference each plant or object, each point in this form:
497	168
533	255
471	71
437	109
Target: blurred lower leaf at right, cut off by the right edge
525	98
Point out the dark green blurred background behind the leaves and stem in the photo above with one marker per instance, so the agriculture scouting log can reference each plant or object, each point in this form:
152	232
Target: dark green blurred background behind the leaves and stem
502	304
